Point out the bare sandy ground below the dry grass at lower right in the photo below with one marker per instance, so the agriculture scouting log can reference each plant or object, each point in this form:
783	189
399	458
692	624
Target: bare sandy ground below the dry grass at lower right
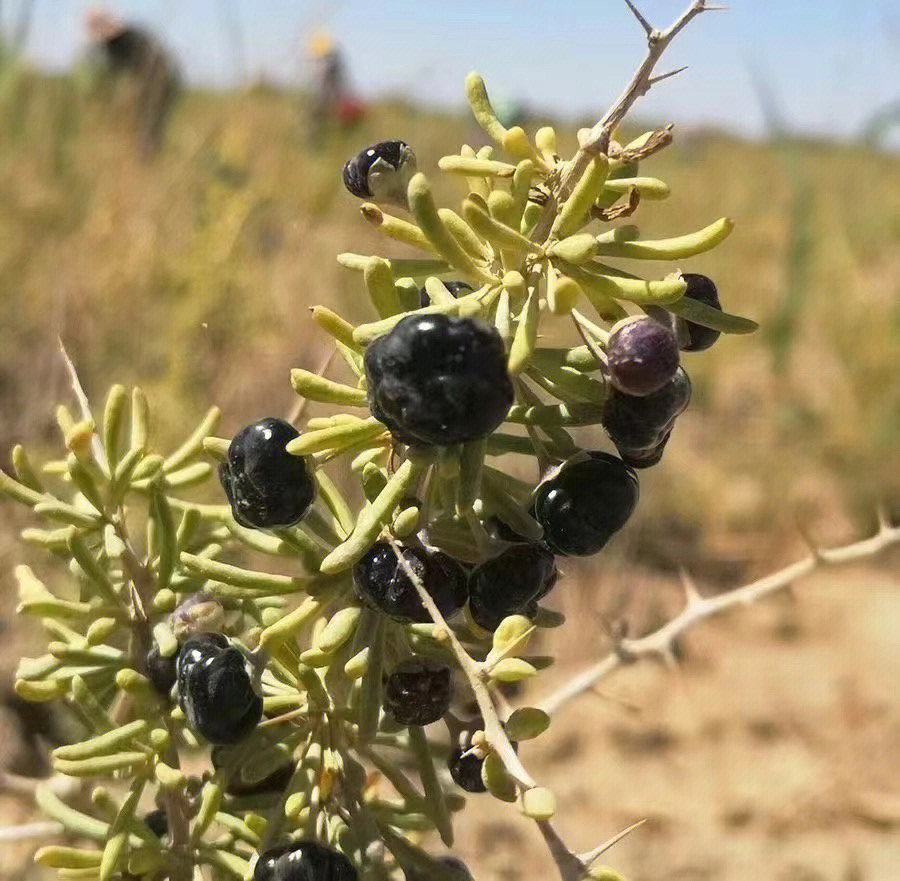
771	752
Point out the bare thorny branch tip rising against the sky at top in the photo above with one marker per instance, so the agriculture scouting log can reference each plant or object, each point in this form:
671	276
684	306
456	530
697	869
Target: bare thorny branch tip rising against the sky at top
598	139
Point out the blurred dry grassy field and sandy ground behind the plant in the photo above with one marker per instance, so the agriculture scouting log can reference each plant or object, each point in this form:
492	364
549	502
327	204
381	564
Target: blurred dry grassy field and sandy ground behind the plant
774	751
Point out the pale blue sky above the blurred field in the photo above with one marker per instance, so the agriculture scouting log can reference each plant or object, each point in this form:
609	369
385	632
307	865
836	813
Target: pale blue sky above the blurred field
830	63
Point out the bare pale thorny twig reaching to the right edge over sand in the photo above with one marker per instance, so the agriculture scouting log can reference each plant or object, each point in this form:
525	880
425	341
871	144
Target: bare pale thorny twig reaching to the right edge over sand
697	608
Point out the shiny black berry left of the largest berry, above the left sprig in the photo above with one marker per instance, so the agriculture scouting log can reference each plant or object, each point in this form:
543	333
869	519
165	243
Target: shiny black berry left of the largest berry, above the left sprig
265	485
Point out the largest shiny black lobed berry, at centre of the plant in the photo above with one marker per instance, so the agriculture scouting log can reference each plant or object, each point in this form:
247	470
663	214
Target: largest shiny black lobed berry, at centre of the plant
437	379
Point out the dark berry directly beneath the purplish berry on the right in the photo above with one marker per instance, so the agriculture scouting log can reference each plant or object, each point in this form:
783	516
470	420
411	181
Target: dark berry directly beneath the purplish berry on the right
636	423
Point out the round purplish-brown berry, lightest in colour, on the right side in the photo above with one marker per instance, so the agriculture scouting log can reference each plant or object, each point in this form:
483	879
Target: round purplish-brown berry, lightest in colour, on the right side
642	356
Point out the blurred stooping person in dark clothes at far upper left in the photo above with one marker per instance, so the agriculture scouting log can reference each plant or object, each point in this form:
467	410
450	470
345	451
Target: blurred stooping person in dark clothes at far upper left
133	52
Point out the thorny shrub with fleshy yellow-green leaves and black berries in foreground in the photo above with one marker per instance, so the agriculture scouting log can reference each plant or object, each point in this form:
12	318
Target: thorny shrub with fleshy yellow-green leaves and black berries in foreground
245	722
